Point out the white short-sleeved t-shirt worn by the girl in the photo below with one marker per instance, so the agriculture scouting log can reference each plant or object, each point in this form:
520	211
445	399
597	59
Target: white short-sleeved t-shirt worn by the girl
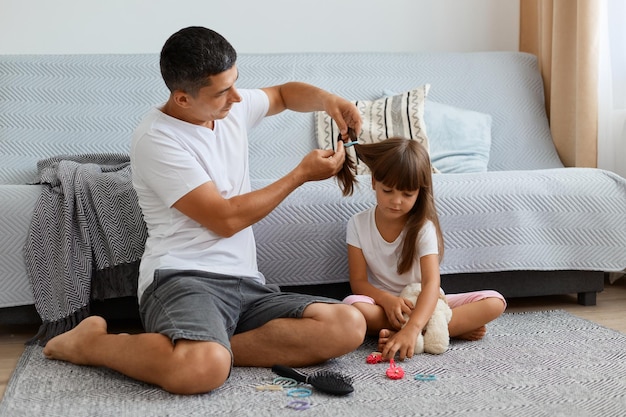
382	256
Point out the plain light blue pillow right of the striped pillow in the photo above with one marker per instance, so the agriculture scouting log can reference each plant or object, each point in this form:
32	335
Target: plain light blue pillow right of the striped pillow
459	139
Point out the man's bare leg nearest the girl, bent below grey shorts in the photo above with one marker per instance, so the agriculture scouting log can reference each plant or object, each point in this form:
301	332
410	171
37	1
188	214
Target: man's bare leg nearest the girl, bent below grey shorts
325	331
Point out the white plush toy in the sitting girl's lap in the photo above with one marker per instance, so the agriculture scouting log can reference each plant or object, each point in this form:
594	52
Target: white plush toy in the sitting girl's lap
436	338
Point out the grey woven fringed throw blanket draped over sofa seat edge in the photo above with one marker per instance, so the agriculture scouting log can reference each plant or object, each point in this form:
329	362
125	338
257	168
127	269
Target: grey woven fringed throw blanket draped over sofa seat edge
86	238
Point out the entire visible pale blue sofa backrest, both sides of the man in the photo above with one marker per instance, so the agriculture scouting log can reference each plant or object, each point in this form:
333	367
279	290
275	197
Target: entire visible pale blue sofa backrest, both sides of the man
73	104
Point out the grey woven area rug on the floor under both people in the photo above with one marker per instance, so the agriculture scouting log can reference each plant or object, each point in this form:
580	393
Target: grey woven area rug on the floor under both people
546	363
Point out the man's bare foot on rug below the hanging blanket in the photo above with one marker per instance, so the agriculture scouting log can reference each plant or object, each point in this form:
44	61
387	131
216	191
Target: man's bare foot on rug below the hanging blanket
69	346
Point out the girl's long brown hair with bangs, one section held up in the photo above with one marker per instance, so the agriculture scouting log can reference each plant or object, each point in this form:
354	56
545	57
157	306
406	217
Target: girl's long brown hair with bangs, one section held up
402	164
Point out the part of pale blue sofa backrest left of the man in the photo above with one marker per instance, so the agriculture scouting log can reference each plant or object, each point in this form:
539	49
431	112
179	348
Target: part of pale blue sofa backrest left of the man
71	104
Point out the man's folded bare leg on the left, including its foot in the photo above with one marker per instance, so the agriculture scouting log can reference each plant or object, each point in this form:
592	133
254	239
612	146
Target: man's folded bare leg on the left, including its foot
188	367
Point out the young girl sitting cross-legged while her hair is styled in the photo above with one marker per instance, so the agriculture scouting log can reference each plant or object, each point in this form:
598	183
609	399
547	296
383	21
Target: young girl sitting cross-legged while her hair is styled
398	242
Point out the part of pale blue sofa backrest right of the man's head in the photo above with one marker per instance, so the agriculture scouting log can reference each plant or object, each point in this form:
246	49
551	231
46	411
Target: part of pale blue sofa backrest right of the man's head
506	85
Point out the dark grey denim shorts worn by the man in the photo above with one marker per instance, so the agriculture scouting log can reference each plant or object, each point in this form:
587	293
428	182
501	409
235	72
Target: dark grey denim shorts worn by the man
198	305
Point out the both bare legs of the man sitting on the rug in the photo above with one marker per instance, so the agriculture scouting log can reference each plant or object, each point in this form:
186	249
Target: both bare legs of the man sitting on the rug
188	367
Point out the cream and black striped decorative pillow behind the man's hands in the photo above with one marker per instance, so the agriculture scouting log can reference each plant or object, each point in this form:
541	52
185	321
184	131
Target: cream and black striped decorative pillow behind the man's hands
400	115
